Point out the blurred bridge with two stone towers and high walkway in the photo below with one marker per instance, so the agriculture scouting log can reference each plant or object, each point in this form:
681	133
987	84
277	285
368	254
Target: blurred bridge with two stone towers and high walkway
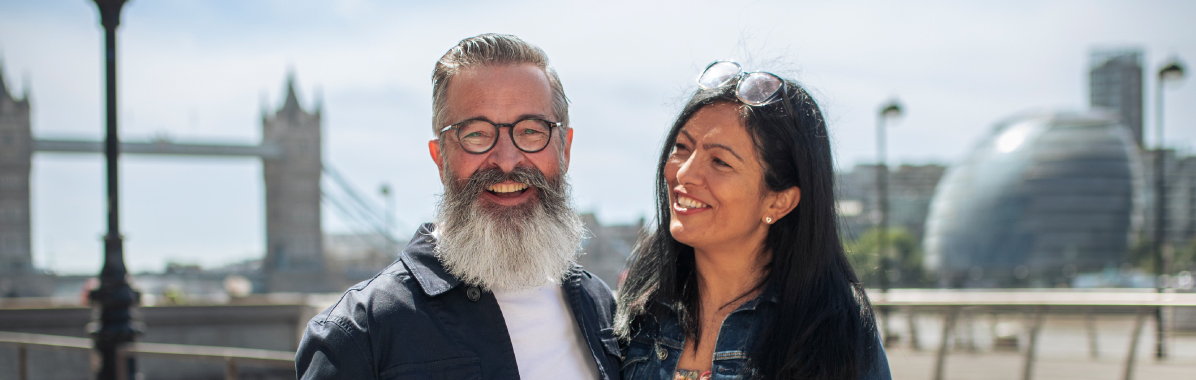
291	154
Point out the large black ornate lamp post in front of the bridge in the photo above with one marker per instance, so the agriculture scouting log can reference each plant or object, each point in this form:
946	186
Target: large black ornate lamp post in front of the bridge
114	298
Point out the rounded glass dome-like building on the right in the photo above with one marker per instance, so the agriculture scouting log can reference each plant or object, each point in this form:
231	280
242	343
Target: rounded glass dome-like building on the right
1044	198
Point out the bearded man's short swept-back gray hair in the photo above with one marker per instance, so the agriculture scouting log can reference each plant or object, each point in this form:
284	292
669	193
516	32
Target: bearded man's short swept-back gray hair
491	50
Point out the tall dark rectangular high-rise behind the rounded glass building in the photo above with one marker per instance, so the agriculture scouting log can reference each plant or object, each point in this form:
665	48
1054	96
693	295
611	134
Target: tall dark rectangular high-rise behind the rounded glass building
1115	84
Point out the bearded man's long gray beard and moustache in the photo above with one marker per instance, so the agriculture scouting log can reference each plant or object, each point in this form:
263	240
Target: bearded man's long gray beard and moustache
503	248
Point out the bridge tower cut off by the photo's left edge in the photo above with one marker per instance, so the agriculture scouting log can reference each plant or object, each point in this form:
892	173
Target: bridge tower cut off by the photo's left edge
17	274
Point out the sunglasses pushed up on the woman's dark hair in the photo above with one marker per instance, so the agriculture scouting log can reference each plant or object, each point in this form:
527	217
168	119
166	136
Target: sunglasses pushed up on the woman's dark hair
753	89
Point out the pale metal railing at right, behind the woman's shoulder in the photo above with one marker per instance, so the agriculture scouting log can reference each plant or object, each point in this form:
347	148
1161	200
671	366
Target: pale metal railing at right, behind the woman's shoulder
1038	303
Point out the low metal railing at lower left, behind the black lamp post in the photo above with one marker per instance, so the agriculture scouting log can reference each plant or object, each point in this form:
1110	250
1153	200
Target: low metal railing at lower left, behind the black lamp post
230	357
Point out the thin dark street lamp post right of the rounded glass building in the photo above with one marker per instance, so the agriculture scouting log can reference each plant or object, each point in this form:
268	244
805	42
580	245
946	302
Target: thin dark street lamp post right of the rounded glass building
1173	71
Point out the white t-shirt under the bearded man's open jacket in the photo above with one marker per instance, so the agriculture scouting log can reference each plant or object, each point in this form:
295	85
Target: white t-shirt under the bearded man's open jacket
545	335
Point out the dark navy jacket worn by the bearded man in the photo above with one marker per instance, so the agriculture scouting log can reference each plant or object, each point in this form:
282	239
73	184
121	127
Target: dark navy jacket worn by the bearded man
414	321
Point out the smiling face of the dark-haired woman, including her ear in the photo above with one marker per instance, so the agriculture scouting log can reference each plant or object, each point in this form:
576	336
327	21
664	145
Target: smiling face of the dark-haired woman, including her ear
718	199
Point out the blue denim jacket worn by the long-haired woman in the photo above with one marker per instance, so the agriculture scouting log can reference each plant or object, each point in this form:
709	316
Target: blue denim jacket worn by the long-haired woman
656	346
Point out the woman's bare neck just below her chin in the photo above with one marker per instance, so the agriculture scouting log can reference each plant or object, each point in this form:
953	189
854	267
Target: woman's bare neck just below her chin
730	277
